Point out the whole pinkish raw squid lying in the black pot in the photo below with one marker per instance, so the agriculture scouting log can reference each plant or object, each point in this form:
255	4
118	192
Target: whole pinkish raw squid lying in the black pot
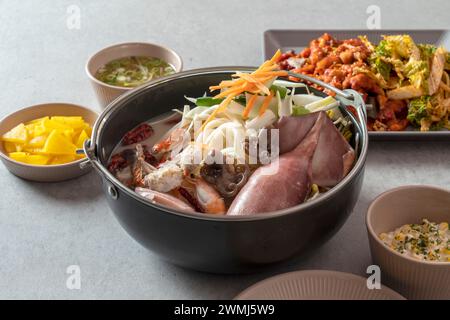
312	150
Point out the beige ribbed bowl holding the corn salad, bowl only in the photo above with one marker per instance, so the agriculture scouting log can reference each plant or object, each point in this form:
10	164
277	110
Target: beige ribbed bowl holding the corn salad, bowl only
415	279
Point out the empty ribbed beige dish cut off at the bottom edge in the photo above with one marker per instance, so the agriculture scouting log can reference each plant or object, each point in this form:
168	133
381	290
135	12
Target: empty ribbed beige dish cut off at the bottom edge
316	285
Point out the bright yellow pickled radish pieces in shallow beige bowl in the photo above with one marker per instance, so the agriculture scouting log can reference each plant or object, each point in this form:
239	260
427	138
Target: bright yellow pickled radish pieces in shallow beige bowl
47	140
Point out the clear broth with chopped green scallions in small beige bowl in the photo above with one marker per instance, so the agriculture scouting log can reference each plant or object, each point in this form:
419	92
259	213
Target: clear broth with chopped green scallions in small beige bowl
133	71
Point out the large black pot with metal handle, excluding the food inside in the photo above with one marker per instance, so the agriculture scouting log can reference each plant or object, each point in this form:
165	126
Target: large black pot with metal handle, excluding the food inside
219	244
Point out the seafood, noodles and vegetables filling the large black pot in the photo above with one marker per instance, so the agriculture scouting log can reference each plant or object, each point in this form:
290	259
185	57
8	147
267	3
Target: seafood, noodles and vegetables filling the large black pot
256	146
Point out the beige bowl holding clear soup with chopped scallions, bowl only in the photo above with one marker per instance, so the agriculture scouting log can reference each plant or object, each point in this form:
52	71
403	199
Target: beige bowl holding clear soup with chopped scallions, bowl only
106	92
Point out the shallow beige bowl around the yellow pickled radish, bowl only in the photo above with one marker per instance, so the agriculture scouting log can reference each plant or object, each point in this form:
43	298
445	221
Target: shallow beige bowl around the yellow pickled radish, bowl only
50	173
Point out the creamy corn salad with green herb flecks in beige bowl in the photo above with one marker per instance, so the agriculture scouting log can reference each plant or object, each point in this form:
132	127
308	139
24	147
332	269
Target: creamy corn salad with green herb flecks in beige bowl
427	241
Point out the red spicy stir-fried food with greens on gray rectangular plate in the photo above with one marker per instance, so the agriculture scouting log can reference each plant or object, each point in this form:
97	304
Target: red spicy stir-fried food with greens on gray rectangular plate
403	83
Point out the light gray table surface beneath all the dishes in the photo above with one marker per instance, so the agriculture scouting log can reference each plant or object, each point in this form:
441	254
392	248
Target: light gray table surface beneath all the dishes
44	228
